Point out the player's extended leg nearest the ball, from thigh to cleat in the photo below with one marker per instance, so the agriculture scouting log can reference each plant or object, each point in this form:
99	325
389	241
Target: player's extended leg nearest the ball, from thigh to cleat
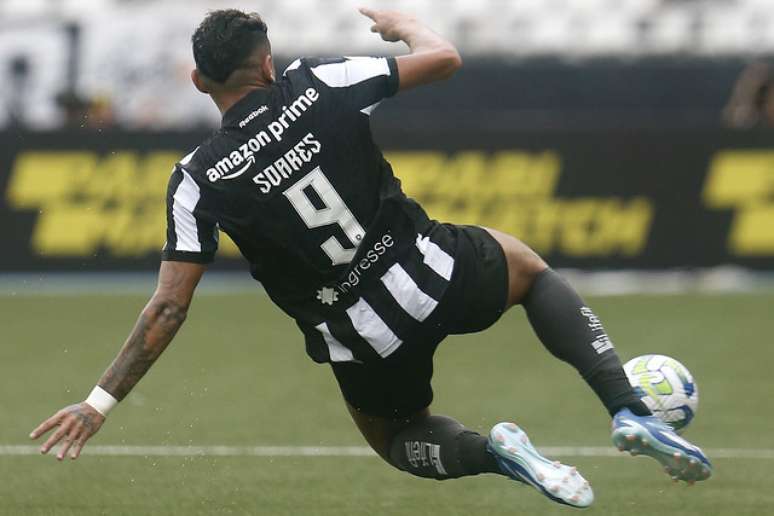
571	331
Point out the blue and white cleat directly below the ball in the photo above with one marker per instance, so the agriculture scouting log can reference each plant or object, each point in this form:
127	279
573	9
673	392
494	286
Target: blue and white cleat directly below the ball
648	435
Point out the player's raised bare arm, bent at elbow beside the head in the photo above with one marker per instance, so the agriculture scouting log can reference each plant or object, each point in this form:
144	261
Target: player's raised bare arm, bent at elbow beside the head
432	58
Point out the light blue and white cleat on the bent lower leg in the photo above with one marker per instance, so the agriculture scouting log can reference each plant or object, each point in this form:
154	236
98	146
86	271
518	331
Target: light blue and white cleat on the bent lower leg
520	460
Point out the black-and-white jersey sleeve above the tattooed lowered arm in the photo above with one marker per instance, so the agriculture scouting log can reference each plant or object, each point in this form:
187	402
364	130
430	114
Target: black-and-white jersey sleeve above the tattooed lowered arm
192	236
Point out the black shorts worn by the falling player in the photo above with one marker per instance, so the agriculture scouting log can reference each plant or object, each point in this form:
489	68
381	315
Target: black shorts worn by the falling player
399	385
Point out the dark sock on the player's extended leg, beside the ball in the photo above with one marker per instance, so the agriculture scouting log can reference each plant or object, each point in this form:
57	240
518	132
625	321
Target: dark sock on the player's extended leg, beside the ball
573	333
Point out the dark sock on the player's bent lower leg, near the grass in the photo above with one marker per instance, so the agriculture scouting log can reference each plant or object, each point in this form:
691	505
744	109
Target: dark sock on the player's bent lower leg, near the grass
440	447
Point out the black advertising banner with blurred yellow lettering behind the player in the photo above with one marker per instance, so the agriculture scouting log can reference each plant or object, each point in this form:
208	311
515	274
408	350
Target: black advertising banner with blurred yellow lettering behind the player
594	200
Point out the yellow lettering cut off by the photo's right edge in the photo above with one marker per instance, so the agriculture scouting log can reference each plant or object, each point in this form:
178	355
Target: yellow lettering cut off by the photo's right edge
743	181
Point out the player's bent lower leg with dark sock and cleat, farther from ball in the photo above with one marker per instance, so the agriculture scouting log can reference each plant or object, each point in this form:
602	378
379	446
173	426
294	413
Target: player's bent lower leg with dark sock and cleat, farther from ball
441	448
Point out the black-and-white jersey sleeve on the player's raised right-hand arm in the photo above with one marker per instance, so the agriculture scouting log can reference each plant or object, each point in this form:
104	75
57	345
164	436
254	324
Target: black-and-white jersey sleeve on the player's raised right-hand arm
360	82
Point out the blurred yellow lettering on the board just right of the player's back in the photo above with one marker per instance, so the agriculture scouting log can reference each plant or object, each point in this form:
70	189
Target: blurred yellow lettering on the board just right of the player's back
515	192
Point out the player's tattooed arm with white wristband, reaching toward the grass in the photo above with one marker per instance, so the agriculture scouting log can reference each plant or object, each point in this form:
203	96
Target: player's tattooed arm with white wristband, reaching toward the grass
155	328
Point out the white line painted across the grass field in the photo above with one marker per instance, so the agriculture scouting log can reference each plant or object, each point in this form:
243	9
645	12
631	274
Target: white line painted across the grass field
340	451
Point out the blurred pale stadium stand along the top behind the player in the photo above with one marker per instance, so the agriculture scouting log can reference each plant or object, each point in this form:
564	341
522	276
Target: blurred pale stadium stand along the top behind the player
124	53
